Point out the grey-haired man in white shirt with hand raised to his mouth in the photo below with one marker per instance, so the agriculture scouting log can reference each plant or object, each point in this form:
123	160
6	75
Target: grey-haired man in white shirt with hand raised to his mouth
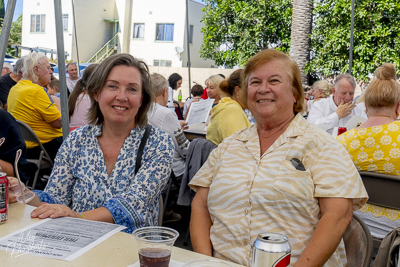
337	109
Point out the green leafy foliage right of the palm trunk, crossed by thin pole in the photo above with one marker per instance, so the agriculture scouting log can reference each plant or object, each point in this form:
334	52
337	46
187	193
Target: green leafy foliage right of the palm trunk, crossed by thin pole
376	37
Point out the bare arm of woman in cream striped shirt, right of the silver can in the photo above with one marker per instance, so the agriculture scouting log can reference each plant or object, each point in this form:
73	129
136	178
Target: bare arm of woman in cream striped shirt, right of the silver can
336	215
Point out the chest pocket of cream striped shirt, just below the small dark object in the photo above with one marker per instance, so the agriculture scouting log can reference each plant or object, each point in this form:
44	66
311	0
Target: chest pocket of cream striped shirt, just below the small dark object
294	184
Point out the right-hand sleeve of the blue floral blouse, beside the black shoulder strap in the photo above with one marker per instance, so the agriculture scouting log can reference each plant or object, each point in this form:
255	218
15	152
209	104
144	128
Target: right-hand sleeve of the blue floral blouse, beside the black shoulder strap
135	206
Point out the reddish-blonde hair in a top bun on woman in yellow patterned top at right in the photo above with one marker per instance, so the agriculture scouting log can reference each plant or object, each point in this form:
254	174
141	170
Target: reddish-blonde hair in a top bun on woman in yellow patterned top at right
384	90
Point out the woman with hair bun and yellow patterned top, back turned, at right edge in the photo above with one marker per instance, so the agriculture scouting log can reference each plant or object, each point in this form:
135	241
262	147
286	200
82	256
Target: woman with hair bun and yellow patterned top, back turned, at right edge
375	145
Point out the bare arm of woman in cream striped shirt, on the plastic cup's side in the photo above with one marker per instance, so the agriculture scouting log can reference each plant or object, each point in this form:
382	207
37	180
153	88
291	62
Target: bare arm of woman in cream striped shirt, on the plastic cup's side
200	223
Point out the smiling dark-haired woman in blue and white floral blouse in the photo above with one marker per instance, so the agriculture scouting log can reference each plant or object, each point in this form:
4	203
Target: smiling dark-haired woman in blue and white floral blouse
94	171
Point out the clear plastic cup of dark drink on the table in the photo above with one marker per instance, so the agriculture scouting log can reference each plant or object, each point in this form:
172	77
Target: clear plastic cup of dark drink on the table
155	245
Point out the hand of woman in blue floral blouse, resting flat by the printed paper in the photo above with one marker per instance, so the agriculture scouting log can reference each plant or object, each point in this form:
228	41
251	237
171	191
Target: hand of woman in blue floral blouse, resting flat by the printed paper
46	210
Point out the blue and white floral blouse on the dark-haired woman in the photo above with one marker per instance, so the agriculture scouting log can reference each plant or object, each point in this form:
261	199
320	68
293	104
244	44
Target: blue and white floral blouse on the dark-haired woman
80	181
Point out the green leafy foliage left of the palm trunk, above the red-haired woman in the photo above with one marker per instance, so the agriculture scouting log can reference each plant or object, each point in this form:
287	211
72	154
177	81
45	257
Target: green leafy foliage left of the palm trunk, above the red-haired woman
244	28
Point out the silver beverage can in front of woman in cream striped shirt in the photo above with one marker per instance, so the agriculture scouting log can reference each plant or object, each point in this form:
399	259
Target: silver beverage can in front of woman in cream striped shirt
271	250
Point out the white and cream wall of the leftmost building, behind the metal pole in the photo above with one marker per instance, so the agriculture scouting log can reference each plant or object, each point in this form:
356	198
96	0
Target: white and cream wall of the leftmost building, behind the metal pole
92	31
